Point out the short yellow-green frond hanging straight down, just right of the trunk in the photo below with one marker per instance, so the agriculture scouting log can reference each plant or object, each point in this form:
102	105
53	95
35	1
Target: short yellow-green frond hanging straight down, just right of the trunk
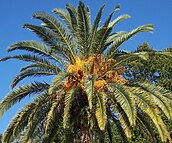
101	110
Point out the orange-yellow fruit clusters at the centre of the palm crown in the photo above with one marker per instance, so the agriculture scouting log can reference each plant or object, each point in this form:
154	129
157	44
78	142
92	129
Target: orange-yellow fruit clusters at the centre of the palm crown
96	65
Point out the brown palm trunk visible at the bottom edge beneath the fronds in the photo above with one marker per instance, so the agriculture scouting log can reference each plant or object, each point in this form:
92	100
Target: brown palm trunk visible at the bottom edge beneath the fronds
86	136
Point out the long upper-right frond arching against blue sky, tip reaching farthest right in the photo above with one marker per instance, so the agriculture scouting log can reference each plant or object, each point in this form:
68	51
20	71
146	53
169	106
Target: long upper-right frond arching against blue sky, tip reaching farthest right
118	41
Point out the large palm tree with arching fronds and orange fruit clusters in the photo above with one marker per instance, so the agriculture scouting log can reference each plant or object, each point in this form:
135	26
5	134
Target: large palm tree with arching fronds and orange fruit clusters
88	93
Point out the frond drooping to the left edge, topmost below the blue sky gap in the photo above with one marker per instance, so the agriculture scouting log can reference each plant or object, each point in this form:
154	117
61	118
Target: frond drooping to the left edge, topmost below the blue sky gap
19	93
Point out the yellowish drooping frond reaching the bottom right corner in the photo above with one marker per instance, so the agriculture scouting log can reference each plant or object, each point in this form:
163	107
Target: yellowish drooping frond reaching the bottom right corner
144	103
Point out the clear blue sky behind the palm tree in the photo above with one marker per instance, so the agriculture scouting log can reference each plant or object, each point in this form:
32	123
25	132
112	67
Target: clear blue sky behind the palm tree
15	13
